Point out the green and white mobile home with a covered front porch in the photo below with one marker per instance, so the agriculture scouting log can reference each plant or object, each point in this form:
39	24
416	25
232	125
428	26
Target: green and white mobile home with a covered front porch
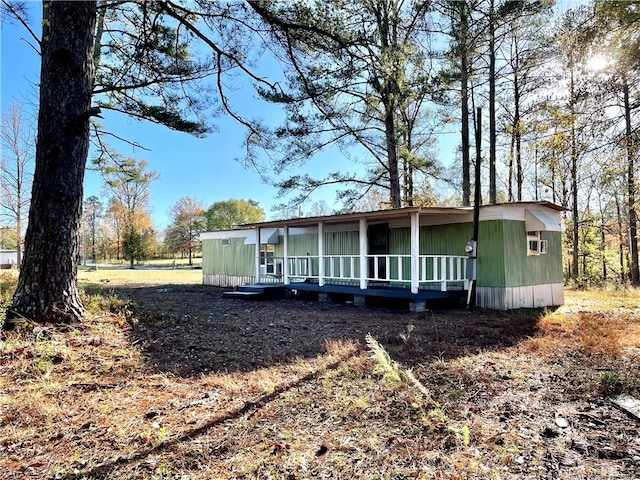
416	253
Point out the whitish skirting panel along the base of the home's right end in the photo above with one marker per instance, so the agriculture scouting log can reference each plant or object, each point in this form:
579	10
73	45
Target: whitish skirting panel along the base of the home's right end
528	296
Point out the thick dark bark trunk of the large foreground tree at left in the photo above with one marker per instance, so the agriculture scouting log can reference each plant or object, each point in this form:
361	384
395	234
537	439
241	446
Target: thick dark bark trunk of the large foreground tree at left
47	289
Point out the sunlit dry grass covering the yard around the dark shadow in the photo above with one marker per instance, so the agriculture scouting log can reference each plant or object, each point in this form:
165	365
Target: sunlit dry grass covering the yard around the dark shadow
85	403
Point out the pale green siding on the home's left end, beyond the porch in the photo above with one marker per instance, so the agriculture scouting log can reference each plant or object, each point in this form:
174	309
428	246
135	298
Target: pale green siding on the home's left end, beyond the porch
234	259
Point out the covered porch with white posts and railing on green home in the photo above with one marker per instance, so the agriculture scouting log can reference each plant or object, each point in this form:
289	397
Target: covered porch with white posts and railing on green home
371	264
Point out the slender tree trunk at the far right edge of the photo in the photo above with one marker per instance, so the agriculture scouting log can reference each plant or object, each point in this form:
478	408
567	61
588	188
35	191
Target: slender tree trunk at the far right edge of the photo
633	214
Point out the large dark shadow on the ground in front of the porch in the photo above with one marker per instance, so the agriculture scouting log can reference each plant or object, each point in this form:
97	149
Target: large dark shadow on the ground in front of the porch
190	330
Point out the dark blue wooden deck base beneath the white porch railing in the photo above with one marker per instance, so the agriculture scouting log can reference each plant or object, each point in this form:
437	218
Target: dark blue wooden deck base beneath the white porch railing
333	292
